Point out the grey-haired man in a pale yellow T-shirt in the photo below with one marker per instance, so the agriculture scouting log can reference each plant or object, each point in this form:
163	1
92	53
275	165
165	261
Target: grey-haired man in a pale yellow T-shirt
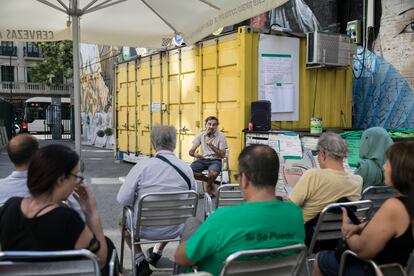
320	187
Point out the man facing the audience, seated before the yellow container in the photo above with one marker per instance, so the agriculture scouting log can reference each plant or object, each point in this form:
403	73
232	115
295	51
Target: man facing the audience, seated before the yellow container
213	149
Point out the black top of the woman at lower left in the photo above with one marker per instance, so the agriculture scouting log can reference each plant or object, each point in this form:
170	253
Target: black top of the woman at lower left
58	229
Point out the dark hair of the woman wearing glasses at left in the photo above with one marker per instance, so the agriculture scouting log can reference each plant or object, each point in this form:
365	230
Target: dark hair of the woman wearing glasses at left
48	164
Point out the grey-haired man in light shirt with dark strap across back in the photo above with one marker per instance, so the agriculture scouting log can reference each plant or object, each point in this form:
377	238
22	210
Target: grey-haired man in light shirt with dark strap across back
156	175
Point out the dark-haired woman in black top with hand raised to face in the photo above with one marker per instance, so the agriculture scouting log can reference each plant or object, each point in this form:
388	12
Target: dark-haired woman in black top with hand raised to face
40	222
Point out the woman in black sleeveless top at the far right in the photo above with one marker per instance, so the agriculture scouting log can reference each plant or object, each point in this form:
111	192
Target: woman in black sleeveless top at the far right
388	237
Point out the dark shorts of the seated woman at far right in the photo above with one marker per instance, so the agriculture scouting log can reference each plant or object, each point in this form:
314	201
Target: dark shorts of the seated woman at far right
329	265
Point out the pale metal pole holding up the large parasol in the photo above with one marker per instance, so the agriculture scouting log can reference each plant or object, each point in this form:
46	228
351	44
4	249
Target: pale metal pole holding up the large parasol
76	78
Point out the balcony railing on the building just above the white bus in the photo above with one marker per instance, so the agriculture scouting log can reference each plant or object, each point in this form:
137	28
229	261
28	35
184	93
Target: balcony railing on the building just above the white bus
32	88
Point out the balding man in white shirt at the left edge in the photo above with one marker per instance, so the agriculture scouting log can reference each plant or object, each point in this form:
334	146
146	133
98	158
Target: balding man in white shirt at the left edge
20	150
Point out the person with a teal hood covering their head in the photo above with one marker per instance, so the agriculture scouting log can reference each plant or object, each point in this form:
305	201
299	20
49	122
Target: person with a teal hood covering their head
374	143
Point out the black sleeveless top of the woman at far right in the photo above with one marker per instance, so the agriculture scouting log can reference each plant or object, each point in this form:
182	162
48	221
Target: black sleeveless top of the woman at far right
398	249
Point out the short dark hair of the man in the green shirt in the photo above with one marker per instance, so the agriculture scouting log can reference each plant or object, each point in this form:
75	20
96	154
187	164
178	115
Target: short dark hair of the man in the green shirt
261	164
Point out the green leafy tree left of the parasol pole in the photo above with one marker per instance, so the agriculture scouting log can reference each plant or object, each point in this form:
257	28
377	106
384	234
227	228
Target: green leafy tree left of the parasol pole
57	62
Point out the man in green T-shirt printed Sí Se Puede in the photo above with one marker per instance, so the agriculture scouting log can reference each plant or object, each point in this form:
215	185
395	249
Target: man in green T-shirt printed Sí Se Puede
261	222
